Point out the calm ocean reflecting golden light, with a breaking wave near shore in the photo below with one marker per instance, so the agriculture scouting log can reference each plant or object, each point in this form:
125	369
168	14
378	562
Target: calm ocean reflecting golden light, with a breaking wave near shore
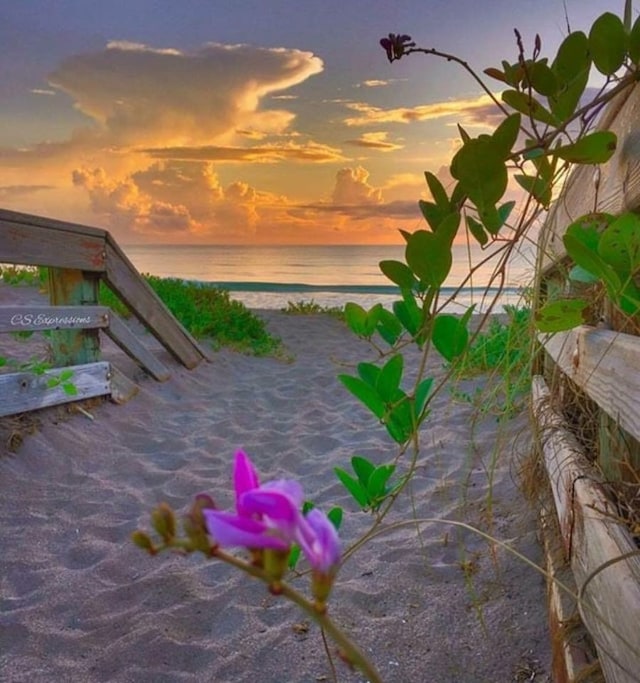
273	276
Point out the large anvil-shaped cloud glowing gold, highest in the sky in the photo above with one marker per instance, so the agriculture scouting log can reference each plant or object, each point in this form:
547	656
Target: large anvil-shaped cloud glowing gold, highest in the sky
142	95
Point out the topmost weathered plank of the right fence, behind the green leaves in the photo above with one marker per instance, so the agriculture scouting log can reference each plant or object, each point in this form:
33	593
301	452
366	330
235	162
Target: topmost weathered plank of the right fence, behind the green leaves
612	187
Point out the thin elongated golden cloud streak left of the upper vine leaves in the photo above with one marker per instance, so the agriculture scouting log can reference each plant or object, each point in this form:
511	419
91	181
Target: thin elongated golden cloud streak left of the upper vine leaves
478	107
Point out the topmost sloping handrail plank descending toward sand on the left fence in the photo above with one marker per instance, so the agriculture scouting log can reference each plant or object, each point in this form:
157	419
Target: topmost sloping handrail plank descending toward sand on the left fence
143	302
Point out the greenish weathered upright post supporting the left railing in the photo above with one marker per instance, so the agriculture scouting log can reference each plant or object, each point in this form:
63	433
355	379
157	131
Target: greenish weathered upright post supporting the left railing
77	288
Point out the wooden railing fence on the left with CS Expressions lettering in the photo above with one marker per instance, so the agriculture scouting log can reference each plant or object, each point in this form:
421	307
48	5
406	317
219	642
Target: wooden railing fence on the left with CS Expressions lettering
77	258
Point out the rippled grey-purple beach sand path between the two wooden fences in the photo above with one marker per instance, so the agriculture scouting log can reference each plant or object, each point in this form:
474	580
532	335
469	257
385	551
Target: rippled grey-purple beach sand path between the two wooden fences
428	602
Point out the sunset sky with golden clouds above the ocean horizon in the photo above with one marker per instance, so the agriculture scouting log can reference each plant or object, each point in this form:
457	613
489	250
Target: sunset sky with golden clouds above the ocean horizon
247	121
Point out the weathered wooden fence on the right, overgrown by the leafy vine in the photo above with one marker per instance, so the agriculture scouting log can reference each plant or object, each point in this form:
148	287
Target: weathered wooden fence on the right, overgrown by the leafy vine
590	377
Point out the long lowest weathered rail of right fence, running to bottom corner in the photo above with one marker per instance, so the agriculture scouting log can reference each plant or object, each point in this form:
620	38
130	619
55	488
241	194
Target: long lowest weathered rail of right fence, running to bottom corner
596	545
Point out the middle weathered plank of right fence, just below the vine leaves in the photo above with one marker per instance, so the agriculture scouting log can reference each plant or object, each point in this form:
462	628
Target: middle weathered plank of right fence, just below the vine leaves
605	365
